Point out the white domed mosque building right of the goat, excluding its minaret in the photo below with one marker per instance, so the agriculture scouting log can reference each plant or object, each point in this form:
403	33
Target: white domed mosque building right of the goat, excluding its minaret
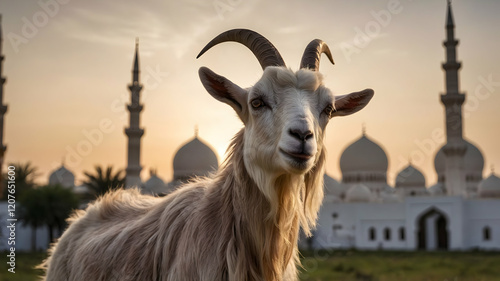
364	212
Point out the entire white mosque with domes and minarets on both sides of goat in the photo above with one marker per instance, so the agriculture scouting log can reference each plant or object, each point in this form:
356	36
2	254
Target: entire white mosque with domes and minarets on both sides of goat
459	212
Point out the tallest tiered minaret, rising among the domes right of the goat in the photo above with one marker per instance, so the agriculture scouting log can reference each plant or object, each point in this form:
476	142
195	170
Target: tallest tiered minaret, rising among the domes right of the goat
453	100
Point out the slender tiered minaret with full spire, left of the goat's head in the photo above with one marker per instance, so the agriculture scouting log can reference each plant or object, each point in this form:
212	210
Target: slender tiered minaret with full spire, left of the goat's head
134	132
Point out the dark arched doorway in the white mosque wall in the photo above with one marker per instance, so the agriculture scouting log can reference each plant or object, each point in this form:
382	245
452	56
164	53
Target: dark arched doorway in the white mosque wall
432	230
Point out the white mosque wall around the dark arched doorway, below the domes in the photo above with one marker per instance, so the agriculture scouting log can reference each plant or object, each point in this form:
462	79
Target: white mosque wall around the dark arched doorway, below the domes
465	223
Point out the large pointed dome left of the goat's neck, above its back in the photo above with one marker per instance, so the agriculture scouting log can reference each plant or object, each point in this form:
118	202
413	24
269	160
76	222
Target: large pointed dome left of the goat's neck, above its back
195	158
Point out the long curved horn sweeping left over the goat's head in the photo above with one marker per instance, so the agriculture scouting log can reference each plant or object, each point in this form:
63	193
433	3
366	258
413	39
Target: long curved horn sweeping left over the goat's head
265	52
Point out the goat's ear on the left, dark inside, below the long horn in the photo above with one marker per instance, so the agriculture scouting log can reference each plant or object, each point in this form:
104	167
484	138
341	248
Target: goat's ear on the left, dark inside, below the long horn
225	91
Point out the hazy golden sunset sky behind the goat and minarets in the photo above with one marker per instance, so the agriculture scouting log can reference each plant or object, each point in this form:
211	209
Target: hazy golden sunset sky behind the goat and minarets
68	64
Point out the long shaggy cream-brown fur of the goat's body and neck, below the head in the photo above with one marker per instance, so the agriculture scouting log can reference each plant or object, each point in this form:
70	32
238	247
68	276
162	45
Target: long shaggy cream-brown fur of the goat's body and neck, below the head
219	228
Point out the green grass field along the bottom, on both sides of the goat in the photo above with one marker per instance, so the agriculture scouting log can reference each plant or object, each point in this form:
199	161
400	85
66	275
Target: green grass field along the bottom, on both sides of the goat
350	266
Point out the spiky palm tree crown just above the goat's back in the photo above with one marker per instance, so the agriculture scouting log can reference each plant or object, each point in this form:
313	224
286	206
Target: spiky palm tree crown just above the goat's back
103	181
